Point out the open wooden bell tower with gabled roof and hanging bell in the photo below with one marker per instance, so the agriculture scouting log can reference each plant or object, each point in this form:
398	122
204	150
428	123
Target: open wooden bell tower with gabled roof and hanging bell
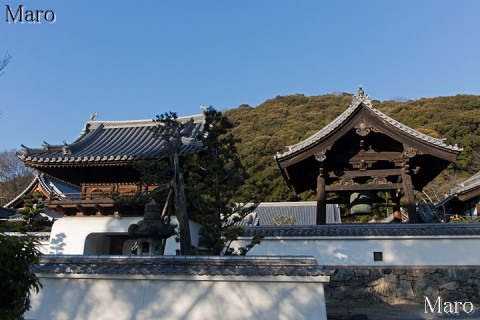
361	153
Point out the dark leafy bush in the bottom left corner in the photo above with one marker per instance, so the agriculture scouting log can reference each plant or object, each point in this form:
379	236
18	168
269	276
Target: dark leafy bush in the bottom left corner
17	255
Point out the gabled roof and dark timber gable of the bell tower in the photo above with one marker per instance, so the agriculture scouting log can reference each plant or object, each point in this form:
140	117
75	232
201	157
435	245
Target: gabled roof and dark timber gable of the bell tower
364	139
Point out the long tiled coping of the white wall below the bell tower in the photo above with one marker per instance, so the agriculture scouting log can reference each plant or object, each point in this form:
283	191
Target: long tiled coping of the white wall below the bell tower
356	230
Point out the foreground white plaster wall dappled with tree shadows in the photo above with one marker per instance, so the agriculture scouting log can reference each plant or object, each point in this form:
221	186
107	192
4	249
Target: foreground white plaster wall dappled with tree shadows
183	297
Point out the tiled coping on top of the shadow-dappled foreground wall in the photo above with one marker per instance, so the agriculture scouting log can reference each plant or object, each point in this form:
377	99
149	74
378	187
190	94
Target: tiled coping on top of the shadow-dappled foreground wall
182	265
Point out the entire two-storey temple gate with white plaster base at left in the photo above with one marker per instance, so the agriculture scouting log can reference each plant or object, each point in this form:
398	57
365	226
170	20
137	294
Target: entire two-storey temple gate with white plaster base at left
94	183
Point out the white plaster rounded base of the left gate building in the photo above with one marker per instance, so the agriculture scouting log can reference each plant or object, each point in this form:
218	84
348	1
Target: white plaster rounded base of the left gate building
69	233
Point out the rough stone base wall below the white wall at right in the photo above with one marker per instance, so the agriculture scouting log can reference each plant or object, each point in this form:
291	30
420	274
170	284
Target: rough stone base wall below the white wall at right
404	285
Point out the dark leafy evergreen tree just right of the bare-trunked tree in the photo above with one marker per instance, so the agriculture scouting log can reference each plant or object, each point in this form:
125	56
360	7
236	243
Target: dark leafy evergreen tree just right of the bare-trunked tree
215	177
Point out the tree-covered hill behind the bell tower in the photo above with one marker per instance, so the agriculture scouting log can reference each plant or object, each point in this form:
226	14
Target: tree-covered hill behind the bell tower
286	120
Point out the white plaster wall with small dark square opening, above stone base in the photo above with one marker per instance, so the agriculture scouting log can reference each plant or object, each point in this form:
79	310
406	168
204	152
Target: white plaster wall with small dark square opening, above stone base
358	251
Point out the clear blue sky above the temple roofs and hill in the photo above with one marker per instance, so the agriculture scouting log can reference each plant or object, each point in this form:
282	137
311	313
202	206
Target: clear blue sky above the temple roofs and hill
135	59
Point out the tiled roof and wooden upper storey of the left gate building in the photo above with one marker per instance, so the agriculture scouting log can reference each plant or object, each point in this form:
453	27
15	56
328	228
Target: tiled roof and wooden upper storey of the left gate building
101	164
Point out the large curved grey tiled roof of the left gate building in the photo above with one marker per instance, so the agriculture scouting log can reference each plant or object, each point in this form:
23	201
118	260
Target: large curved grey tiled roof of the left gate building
107	142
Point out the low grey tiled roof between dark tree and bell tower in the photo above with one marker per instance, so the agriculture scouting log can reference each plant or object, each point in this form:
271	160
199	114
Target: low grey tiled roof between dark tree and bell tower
303	213
